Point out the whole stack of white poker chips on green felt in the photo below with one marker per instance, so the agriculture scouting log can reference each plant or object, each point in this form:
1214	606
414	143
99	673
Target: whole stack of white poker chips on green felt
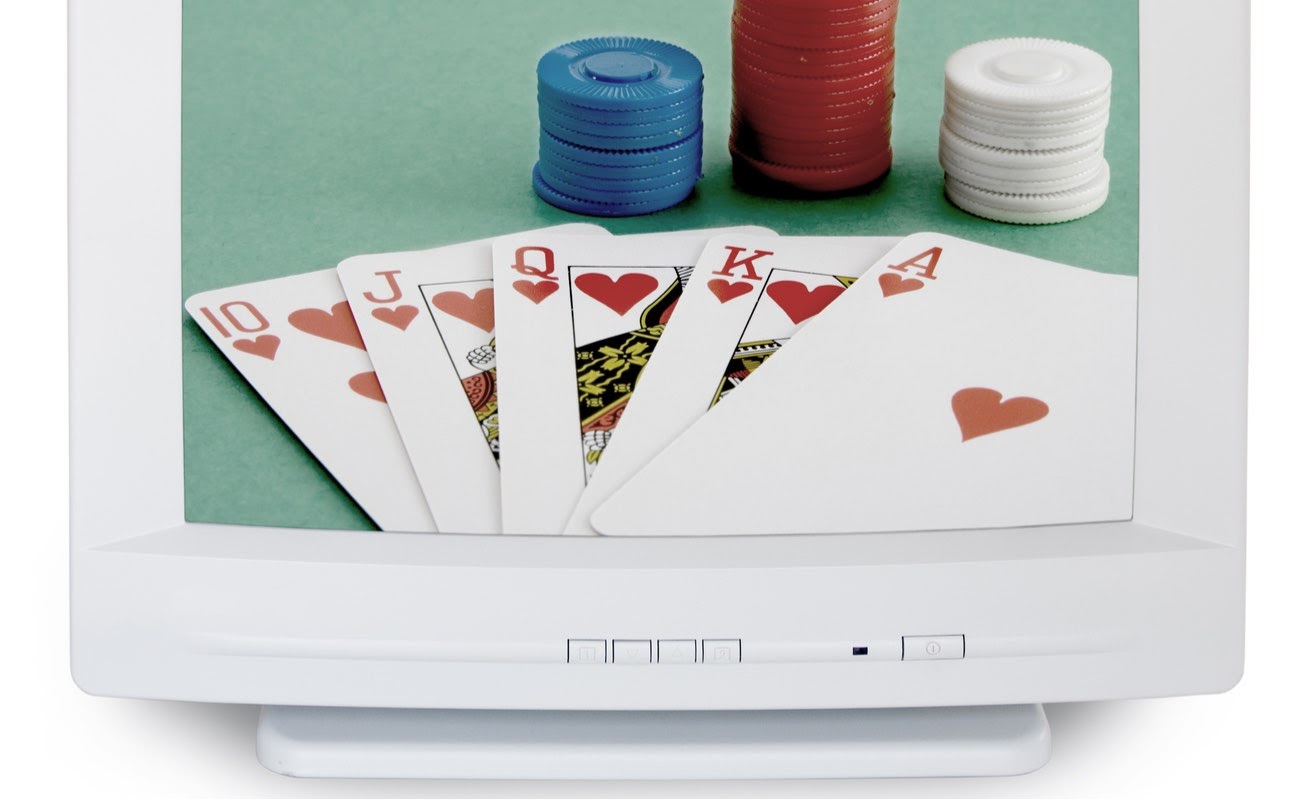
1024	133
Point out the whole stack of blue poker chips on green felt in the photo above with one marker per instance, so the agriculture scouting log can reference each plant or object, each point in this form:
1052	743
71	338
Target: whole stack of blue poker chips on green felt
622	127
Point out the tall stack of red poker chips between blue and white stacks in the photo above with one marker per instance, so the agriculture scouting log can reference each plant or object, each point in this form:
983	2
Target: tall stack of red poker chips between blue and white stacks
812	93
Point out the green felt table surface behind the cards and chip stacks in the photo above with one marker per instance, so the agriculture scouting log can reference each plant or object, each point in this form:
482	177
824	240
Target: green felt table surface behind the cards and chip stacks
315	131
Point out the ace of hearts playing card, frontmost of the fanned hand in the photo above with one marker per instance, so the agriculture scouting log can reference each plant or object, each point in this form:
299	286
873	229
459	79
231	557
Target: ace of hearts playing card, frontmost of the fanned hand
965	387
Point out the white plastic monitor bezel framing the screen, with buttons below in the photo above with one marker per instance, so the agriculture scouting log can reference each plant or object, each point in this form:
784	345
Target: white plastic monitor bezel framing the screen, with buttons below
163	608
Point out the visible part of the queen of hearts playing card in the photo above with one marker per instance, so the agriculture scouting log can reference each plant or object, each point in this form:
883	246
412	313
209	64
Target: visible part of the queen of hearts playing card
578	321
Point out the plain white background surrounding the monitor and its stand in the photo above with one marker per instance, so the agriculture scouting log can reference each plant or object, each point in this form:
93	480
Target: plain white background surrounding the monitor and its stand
55	741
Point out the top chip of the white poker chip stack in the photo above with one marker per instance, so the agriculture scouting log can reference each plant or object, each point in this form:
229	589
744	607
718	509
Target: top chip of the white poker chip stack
1028	75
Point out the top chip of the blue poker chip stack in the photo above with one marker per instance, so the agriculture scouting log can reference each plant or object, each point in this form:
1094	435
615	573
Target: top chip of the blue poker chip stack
619	75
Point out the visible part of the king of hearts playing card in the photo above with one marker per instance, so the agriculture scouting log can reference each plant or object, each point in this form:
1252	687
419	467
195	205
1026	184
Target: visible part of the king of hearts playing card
753	295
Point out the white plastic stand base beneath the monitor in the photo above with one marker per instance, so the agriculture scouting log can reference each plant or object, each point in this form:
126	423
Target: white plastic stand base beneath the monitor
857	743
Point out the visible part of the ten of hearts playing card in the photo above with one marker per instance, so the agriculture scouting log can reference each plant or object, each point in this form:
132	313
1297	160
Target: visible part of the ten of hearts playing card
296	341
